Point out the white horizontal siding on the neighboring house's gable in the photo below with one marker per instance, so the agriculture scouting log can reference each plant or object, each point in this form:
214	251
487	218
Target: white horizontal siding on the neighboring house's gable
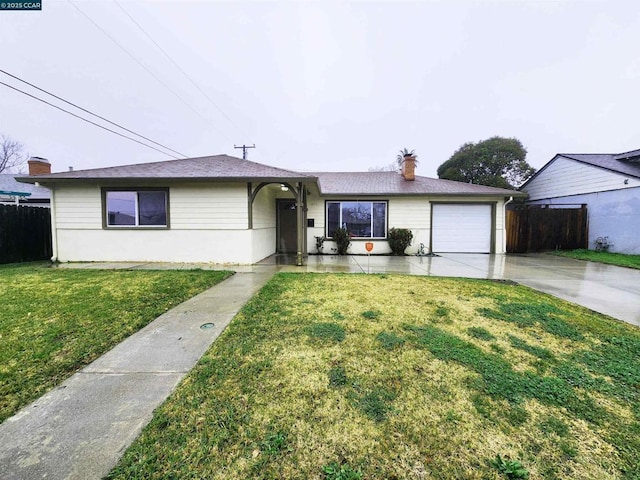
564	177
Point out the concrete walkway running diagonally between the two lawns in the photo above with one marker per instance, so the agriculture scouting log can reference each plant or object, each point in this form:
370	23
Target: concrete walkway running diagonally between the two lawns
80	429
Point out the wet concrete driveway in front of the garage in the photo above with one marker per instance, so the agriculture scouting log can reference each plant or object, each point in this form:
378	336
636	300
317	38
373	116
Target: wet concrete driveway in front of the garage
614	291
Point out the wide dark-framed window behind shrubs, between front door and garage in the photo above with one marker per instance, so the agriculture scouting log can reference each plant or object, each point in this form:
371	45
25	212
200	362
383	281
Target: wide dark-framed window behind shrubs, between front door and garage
361	219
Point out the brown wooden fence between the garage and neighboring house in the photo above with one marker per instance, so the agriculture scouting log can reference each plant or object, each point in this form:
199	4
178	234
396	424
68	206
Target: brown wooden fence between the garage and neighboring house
534	228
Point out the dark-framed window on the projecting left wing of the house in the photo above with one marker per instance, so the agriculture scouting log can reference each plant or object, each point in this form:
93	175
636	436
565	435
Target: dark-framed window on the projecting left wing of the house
136	208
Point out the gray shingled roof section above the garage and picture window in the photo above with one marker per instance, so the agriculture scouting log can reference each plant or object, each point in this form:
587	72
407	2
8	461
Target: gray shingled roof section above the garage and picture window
392	183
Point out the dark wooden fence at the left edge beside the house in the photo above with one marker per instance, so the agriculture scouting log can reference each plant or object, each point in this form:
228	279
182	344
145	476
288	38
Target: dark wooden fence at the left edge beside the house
25	233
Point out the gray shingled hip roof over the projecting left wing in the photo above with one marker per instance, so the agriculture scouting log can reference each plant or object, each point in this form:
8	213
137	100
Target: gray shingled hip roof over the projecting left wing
216	167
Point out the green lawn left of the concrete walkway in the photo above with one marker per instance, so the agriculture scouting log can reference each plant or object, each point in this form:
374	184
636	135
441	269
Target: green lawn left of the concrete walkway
55	321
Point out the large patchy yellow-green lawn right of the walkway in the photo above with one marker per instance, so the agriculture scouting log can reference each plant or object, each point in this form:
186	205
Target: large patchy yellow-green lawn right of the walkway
450	378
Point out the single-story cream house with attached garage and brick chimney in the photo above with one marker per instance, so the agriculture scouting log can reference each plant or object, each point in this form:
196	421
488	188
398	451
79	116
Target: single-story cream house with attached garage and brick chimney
223	209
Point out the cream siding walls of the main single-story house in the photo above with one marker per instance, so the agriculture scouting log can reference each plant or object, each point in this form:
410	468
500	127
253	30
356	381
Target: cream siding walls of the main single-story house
209	223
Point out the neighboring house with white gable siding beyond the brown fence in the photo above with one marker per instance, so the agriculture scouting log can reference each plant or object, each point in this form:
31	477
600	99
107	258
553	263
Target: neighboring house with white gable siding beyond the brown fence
609	184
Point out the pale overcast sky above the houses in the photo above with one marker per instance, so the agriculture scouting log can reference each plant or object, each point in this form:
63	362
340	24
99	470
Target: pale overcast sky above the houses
333	86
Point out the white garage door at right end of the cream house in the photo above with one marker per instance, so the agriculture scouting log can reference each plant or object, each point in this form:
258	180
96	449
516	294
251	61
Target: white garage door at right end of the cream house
457	228
